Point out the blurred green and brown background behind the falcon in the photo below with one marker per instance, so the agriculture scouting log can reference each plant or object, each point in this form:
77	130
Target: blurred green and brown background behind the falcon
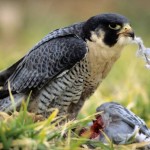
24	23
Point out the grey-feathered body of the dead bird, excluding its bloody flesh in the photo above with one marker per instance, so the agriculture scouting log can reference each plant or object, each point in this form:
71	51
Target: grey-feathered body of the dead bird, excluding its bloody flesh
121	125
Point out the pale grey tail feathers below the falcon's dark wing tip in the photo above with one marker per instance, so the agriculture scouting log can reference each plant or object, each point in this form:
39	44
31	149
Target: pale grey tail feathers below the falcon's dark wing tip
6	104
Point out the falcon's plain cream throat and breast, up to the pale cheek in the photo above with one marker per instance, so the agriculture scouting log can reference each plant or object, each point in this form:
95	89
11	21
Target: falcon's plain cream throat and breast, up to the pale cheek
101	57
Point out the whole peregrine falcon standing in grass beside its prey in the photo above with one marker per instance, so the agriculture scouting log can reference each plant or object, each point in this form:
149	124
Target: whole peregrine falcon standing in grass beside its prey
66	66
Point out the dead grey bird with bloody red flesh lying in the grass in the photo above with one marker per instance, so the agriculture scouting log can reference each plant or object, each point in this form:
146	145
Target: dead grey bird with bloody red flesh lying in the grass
117	124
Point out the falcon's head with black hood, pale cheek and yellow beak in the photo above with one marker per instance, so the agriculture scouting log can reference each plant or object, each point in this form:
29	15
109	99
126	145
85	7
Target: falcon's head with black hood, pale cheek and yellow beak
108	30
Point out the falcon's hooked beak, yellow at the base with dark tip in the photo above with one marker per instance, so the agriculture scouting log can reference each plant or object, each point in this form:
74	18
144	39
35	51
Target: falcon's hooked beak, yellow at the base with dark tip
127	31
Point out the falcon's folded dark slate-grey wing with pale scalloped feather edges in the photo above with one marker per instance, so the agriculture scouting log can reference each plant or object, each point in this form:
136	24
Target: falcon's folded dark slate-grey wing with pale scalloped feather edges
47	61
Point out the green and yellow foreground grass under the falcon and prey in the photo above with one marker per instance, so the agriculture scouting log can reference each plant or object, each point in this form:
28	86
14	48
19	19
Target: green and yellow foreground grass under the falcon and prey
20	131
